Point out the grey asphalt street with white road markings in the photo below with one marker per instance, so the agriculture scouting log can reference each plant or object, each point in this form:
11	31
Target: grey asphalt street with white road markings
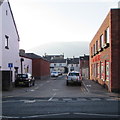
53	99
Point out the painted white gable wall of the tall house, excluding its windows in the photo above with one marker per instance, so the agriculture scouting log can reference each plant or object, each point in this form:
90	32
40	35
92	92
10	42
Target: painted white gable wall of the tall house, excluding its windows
10	55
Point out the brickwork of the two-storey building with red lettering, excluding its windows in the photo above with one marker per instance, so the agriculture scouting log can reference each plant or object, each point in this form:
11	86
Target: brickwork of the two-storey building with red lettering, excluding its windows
112	53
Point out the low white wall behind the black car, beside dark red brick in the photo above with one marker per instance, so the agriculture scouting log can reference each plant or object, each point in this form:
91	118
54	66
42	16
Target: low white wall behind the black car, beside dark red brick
26	63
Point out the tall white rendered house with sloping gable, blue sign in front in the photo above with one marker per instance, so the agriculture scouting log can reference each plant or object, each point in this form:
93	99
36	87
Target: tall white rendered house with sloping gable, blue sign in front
9	40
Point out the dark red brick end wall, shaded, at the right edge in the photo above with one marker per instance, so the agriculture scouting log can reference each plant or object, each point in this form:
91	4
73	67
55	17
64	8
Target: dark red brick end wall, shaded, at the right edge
115	49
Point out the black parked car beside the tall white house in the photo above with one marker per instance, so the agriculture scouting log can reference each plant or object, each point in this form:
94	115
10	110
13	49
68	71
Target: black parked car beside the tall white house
25	80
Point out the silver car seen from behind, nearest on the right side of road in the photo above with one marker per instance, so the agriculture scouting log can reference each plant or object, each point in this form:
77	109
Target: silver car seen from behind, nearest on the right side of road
74	77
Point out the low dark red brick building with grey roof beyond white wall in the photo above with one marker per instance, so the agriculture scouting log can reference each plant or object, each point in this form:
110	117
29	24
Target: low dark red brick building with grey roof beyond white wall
40	66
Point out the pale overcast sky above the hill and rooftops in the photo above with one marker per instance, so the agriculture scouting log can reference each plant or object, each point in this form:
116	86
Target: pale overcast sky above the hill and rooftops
44	21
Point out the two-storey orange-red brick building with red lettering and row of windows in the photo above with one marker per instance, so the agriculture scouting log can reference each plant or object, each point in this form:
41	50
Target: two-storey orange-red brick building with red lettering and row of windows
105	53
